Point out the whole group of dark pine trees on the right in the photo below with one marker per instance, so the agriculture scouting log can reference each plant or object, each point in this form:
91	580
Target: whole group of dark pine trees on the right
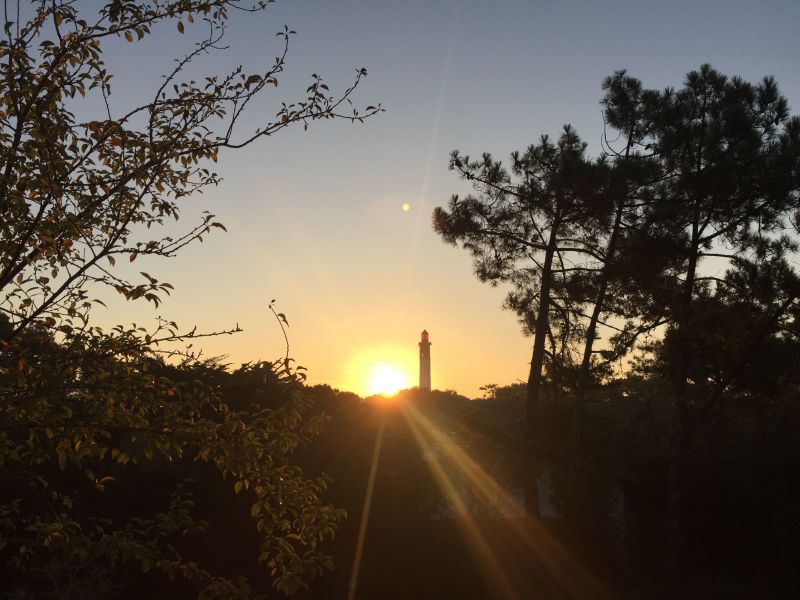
705	173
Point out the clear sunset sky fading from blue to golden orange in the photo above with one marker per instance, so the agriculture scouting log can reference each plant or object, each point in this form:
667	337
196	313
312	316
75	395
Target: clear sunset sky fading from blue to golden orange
315	219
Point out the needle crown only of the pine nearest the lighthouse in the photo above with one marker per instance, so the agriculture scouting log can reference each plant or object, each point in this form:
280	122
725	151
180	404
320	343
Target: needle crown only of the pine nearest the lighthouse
548	194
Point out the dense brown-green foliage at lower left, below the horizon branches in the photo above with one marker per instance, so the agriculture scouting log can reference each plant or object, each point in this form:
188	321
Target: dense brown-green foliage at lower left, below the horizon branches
82	417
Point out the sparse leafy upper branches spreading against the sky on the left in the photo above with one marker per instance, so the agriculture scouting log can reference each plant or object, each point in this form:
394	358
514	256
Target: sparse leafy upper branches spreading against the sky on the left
74	193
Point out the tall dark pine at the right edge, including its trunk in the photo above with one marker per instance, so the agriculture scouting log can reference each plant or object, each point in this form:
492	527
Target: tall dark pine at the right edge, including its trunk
727	153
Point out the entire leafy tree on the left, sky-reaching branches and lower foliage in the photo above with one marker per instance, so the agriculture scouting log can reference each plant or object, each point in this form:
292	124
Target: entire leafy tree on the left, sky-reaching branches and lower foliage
79	196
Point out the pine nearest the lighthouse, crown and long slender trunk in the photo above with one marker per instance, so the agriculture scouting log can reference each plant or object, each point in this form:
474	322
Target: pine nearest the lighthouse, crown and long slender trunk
531	227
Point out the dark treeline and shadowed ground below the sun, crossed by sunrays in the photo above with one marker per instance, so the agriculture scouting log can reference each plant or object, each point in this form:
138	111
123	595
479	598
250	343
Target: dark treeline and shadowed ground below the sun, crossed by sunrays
608	517
